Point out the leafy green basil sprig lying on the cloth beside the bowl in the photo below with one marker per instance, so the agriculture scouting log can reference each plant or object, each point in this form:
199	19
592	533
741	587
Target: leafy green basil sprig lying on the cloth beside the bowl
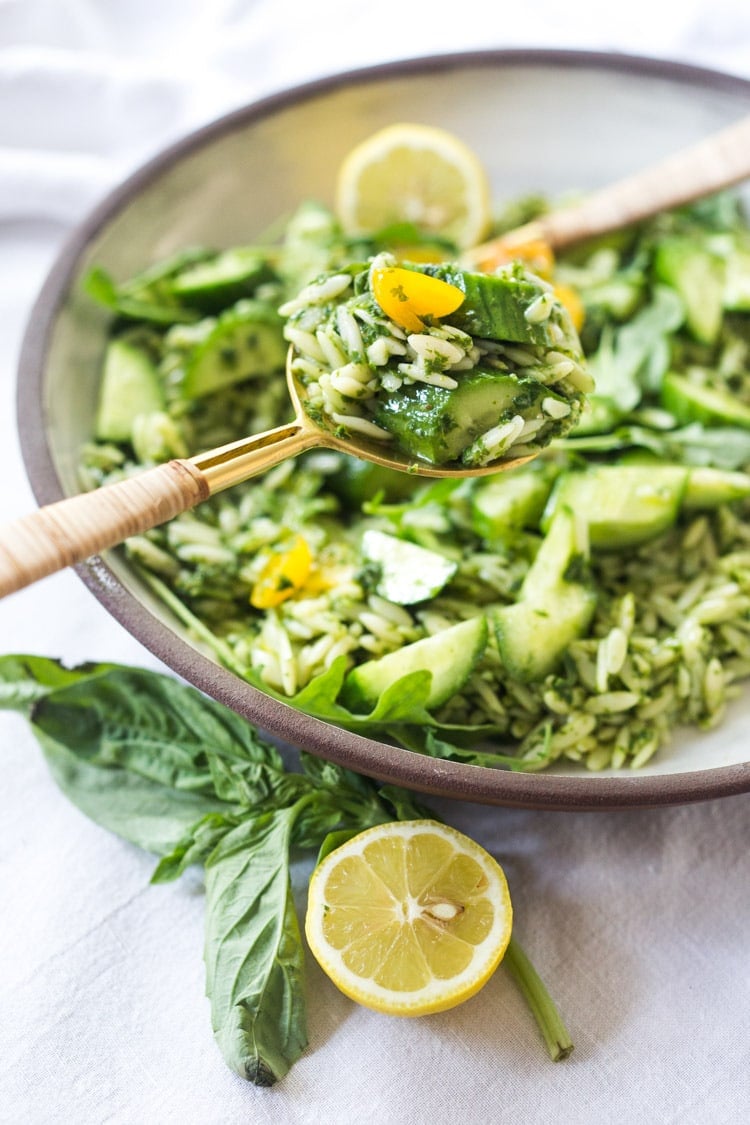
182	776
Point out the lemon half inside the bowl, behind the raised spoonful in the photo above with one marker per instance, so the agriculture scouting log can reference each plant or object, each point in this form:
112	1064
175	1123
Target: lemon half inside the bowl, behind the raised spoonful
414	174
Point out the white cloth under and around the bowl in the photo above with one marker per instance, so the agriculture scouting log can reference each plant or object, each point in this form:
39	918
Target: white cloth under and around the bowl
639	921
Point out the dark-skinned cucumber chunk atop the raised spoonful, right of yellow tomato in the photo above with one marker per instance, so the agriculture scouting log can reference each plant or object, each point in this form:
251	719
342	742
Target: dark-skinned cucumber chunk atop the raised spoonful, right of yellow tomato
495	308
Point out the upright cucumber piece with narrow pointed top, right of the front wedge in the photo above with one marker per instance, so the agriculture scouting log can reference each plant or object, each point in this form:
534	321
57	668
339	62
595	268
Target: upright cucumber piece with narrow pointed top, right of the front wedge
556	606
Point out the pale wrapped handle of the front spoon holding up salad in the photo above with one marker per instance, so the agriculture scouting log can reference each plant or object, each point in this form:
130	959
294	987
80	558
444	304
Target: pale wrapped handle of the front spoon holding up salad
75	529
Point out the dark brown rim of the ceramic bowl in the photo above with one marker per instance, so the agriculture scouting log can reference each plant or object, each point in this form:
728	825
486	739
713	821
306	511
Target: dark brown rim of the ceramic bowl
377	760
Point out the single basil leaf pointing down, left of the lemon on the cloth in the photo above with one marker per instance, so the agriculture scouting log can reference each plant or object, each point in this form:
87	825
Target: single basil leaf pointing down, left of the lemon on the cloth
255	959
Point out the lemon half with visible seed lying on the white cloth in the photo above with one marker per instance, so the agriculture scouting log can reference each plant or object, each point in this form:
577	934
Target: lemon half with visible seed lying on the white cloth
410	917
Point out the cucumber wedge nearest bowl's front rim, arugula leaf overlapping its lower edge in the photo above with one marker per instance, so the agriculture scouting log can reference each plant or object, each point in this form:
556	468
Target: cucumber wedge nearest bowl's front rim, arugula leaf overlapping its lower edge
450	656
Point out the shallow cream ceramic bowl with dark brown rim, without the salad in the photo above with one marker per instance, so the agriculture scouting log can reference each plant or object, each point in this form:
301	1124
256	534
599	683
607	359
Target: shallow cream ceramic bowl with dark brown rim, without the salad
545	122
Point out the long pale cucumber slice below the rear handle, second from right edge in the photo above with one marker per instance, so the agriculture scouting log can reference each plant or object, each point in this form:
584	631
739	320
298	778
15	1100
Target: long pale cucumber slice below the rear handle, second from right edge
699	276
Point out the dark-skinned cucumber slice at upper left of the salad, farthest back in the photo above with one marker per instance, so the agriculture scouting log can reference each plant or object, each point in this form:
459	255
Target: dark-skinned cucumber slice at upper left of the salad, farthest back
223	281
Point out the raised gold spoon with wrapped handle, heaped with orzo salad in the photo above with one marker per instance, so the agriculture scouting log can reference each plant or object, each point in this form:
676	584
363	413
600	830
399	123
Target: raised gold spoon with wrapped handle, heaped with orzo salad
428	370
